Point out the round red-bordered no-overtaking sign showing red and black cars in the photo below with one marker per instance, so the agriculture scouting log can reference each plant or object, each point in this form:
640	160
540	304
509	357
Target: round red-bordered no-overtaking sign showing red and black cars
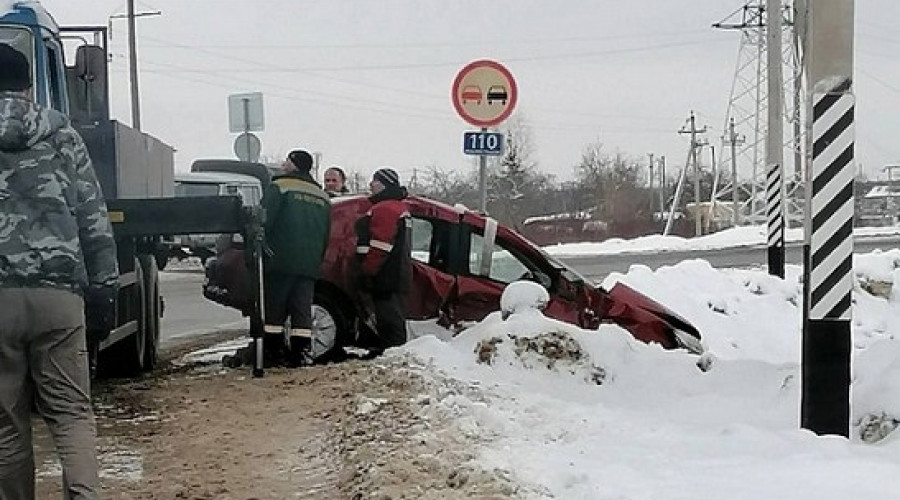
484	93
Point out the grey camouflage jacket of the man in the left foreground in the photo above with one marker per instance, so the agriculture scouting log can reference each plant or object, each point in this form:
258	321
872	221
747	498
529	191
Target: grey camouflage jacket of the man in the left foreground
54	228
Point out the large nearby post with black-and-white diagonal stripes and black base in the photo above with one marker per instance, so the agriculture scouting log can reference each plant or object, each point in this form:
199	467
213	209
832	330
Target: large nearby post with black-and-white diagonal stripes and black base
825	400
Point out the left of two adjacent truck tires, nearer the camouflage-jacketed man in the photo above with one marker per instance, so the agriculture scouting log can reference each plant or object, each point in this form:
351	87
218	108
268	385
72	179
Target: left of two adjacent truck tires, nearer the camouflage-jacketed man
125	358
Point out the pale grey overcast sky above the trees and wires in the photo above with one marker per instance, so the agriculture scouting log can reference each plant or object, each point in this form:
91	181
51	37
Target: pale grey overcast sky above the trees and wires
367	83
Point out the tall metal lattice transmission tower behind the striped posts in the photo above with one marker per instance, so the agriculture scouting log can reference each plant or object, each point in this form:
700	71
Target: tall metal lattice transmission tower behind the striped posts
747	111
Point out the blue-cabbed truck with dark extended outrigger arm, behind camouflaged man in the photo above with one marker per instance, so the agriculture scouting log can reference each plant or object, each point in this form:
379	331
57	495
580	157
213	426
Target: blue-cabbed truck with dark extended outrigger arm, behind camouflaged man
136	173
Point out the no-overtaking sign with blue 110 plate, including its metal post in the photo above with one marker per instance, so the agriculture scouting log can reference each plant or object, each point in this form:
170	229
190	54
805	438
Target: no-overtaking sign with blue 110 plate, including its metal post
484	94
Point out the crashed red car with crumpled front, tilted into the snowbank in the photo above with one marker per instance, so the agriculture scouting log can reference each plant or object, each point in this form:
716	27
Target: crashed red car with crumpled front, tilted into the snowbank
462	261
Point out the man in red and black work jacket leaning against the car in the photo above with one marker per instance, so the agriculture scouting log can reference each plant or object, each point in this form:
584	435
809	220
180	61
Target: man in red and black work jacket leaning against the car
384	253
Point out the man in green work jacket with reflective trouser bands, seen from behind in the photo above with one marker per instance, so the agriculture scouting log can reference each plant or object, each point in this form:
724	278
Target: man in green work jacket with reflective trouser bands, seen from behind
298	219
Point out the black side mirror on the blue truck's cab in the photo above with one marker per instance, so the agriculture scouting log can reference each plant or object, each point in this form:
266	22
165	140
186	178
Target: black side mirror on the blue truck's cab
87	81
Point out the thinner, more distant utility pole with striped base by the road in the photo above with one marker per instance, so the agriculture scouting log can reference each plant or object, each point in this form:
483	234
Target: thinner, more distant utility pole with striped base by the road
774	141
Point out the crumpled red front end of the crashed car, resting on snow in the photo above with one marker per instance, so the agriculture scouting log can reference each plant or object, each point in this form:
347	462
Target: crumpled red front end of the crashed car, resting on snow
649	320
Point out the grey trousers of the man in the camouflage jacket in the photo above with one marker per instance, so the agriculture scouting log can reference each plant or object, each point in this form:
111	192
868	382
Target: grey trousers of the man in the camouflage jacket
44	361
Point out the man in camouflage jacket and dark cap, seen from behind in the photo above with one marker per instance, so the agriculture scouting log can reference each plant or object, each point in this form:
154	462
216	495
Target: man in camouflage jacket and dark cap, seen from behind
56	253
